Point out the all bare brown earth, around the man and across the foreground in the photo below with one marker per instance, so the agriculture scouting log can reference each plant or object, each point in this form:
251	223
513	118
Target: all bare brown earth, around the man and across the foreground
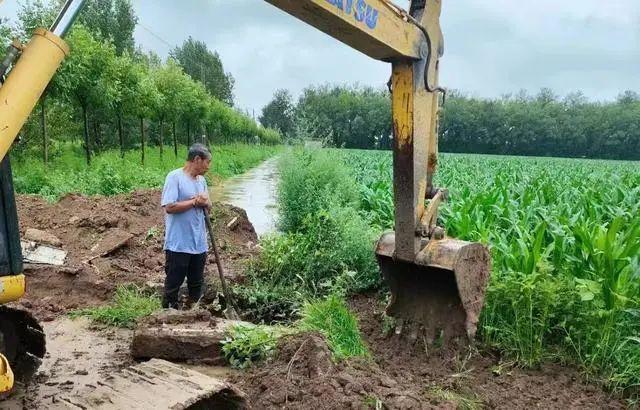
302	374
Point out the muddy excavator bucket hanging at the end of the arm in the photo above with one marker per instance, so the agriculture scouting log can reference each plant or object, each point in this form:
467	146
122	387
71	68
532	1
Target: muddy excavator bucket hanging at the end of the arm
440	295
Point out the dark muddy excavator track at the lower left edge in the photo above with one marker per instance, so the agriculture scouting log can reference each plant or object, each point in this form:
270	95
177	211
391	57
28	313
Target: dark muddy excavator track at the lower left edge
22	341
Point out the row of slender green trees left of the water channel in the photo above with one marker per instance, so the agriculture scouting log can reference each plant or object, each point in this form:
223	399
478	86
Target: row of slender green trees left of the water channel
116	96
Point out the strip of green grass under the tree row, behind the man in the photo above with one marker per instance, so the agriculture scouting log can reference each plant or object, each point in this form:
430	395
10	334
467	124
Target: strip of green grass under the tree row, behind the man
109	174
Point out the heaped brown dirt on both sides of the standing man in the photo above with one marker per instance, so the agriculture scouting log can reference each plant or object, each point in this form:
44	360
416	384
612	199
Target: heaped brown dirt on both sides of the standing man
85	224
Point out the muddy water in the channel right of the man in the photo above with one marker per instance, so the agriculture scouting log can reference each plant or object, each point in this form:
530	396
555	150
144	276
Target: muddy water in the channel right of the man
255	192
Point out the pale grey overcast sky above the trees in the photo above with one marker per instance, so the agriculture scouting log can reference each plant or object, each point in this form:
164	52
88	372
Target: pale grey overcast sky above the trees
492	47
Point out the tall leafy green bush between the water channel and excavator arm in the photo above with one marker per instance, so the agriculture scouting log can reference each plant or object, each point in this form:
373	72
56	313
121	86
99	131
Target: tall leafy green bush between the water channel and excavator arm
327	247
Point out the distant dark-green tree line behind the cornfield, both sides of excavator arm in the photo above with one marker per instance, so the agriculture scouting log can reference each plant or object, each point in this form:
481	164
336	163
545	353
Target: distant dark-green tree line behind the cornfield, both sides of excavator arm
521	124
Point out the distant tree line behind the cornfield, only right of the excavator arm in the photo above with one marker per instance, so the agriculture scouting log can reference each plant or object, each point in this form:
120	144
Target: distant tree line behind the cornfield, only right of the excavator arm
543	125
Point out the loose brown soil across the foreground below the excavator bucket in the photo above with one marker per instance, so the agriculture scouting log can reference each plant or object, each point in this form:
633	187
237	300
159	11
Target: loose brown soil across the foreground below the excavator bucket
398	376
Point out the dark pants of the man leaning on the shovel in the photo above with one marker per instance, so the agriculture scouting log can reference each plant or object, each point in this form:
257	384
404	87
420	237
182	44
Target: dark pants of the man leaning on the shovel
177	266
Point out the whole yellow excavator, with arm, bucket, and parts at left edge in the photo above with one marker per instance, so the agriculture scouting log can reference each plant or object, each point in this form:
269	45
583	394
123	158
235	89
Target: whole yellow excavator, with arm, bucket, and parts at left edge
437	283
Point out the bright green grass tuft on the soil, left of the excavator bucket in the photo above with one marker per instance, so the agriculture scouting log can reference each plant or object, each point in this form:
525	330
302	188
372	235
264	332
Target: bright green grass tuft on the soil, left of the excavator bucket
332	318
